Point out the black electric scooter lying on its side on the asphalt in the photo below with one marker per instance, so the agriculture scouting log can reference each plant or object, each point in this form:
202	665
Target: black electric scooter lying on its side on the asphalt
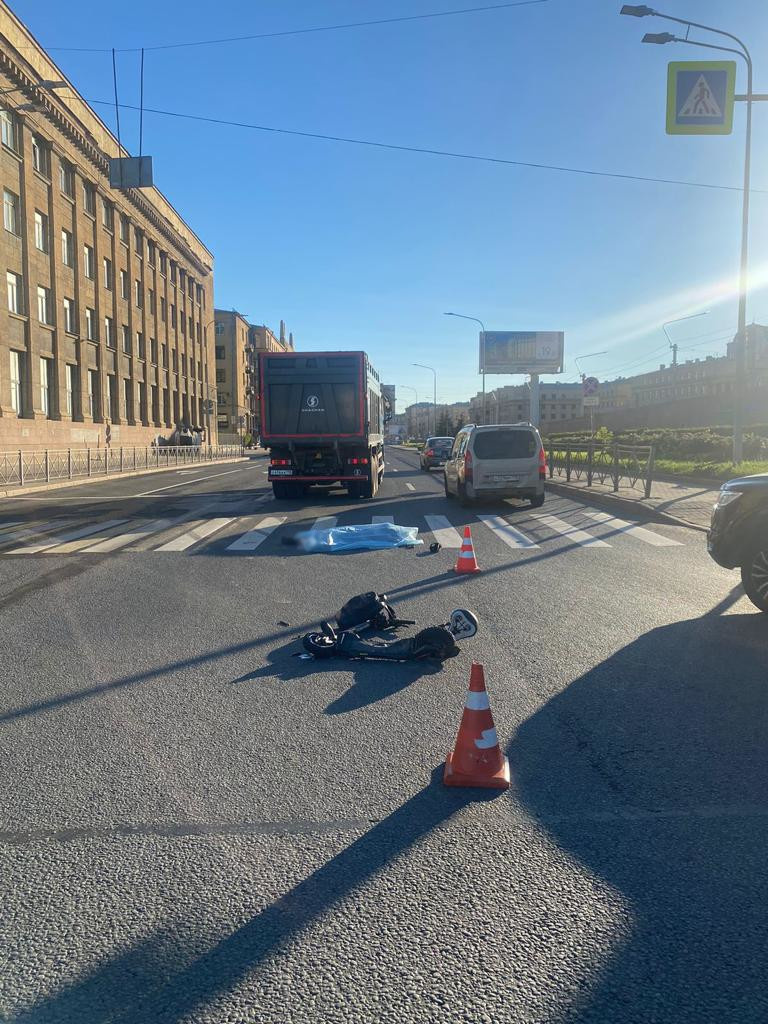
373	612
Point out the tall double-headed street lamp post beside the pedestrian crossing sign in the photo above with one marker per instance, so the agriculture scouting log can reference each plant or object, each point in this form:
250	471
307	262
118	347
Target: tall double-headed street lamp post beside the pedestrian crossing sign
642	11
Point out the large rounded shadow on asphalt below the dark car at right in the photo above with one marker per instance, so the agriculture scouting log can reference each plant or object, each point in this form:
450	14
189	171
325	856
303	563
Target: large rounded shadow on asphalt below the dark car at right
652	772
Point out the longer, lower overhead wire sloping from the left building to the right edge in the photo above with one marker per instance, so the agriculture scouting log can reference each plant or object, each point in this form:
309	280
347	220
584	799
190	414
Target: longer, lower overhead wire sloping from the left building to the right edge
433	153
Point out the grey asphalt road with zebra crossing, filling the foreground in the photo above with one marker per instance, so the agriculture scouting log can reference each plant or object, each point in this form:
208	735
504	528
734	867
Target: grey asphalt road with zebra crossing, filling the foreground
198	827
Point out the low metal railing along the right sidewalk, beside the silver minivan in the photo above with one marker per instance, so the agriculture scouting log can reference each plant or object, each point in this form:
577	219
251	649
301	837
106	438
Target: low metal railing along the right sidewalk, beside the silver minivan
631	463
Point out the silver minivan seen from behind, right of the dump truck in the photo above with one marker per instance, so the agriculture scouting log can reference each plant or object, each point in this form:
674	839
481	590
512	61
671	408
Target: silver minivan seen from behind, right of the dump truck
506	460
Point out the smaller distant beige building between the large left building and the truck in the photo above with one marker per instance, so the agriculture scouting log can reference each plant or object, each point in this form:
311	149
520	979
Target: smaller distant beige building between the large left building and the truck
238	345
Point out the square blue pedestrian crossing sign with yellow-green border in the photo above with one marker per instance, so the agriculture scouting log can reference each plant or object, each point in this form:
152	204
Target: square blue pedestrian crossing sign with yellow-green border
700	98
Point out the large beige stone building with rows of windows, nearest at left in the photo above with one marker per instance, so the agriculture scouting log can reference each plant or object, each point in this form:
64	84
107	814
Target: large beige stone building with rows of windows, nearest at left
110	293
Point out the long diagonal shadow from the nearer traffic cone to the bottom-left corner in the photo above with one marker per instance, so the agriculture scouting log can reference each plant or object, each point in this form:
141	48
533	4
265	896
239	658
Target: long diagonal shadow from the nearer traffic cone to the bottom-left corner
161	980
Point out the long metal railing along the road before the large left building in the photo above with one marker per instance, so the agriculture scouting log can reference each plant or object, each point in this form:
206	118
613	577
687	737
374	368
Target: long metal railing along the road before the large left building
23	468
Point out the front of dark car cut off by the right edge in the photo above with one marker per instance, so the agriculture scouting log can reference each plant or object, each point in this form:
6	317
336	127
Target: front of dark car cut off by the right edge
739	535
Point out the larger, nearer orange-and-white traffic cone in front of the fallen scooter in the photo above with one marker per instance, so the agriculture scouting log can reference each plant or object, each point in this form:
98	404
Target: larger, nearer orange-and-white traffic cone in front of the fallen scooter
478	759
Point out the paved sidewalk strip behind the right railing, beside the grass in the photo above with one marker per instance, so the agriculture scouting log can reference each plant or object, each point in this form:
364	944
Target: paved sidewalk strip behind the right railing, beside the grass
690	504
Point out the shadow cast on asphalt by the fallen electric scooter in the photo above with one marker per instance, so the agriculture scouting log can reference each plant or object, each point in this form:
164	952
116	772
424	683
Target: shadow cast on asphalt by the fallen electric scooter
373	680
